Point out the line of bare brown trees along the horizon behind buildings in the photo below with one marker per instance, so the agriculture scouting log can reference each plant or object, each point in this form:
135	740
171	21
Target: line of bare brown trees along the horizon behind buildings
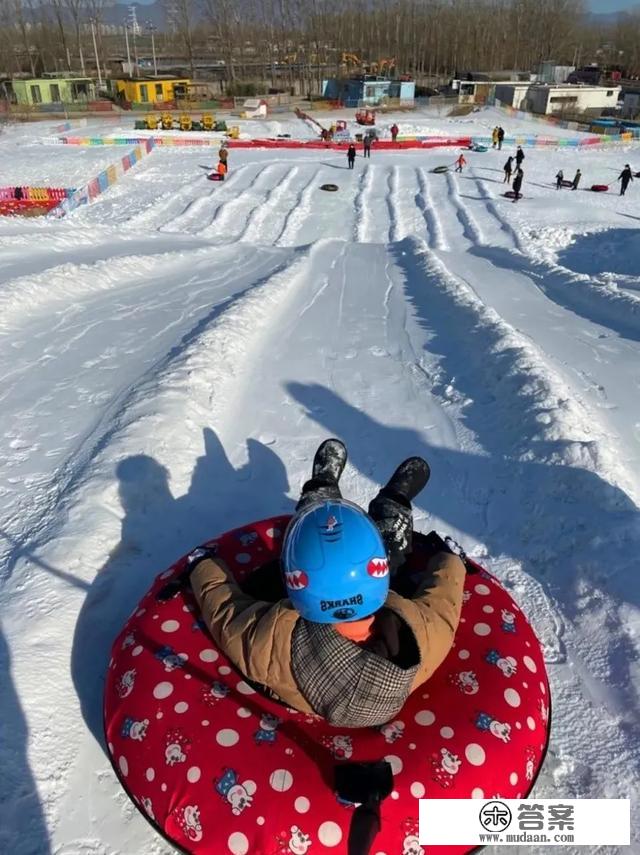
306	39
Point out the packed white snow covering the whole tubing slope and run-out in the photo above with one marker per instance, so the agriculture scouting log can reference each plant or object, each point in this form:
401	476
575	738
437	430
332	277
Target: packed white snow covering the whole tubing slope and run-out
171	355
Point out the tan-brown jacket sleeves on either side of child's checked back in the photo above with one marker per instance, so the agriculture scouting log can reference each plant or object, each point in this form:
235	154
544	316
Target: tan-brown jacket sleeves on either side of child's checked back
257	635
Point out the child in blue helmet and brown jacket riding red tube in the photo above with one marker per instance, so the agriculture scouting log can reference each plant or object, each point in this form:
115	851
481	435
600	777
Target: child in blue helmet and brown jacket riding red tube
342	645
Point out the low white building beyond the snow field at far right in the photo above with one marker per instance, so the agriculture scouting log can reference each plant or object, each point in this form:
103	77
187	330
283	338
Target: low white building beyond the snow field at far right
548	99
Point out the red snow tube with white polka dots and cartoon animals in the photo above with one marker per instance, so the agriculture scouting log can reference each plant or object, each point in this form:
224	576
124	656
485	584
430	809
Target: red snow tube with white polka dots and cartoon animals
218	768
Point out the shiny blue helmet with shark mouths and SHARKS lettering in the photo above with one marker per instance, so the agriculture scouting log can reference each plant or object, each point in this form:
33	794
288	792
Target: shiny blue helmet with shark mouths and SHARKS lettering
335	564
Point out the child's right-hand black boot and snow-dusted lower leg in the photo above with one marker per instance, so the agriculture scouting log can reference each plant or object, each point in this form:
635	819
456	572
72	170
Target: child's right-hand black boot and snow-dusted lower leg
391	509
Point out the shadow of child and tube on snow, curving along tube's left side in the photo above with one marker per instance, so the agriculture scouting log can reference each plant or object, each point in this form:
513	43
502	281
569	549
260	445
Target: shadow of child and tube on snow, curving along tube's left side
157	528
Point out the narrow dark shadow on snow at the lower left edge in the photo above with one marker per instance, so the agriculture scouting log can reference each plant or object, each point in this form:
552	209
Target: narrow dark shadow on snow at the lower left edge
22	827
